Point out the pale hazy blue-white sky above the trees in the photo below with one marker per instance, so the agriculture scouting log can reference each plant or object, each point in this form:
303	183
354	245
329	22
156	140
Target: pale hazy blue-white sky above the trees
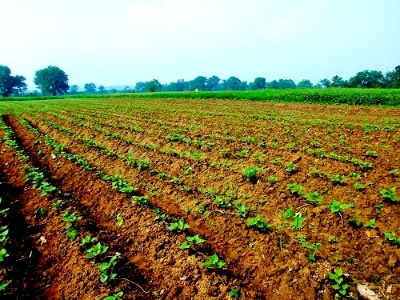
121	42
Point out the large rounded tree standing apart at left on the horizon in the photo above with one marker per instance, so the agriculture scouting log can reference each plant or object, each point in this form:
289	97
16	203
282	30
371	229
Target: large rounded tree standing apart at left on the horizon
51	81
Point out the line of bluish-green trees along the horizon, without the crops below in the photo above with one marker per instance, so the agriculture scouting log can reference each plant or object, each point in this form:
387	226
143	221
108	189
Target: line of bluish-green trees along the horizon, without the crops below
54	81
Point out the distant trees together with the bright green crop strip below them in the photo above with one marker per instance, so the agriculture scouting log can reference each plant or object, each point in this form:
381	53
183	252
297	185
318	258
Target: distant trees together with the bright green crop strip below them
53	81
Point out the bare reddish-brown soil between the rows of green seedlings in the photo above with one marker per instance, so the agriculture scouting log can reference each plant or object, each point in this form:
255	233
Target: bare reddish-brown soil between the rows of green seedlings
267	265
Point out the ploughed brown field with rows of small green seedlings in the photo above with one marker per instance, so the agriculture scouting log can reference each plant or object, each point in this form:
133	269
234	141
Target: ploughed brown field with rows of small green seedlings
134	198
